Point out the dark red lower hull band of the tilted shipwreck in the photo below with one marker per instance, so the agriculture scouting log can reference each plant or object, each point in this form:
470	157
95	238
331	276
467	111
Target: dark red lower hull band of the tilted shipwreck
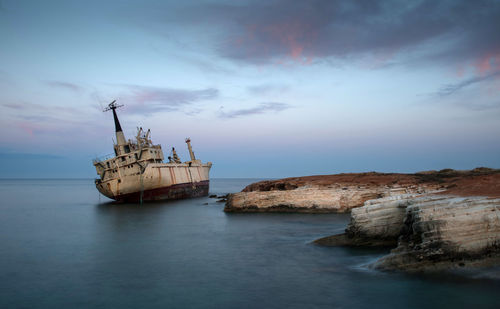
174	192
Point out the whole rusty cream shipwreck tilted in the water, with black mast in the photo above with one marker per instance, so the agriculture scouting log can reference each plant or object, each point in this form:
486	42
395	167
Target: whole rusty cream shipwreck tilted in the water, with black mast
136	171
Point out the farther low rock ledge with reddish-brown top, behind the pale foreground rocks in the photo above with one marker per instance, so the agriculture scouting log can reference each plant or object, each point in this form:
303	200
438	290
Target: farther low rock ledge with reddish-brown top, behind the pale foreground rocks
343	192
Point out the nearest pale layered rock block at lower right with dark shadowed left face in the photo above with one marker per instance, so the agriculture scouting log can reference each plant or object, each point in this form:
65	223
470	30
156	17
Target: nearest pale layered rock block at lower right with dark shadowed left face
447	232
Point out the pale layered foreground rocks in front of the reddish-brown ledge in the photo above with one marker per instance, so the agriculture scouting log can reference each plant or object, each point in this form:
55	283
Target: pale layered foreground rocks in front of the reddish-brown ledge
430	232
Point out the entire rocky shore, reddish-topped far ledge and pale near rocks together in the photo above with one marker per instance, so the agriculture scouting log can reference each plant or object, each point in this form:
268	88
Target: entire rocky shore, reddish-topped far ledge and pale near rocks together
433	220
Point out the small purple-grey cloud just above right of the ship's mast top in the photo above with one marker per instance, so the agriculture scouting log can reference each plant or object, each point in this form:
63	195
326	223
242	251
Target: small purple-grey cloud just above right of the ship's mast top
147	100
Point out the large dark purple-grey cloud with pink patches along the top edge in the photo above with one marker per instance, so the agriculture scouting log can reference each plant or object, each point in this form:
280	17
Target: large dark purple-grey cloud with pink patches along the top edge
276	31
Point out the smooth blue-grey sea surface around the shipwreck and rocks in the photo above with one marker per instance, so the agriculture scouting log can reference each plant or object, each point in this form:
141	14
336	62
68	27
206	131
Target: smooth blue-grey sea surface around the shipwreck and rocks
63	246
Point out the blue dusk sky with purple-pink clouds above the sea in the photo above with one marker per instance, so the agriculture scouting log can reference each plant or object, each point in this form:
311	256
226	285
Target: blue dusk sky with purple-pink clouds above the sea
264	89
